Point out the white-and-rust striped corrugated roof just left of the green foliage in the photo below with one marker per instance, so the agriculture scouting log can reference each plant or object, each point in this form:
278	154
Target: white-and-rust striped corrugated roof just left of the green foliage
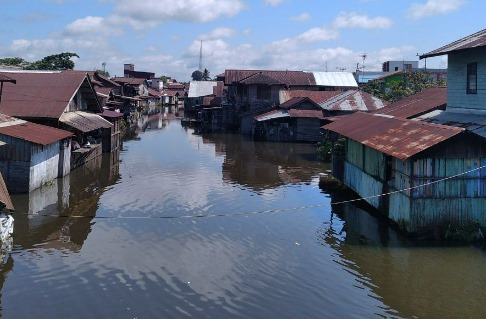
353	100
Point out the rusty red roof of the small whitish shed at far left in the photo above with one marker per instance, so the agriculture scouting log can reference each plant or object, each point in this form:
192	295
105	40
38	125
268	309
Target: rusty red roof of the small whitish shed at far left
35	133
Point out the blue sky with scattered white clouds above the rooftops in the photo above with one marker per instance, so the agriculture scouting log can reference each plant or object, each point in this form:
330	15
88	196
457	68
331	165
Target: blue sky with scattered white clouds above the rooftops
173	37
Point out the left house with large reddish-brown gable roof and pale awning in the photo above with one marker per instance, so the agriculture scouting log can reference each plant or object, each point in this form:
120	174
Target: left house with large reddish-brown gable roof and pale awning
60	99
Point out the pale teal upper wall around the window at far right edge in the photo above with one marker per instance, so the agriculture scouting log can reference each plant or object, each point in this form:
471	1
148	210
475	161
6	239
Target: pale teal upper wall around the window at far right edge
456	79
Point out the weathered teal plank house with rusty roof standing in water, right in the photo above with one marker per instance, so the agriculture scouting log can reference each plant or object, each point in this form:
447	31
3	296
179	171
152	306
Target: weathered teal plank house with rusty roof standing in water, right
419	175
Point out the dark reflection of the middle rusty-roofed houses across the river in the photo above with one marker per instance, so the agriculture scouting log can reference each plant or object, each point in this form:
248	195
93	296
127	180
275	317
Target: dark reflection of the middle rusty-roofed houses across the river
261	165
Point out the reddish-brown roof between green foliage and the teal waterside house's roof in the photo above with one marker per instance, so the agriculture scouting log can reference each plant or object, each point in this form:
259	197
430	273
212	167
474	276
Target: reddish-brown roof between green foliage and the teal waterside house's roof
430	99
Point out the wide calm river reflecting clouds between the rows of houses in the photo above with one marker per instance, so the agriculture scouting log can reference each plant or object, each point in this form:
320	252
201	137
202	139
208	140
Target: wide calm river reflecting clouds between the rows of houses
217	226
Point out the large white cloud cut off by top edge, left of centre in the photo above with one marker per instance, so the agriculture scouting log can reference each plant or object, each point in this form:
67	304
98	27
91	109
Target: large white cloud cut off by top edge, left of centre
154	12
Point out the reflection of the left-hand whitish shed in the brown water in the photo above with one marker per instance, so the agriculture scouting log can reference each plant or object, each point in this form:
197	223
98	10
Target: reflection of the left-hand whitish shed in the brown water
61	214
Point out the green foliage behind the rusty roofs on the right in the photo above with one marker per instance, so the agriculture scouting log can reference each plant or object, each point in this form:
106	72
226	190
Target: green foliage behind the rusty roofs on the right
393	90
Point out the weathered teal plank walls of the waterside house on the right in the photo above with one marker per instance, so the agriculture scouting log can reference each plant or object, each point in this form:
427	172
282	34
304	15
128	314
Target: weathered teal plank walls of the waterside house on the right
459	200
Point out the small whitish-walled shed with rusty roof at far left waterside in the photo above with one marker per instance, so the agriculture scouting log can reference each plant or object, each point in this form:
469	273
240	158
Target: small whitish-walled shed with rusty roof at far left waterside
31	154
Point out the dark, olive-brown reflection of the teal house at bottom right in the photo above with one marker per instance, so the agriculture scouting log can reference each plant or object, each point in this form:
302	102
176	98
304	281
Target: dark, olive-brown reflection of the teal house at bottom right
412	280
